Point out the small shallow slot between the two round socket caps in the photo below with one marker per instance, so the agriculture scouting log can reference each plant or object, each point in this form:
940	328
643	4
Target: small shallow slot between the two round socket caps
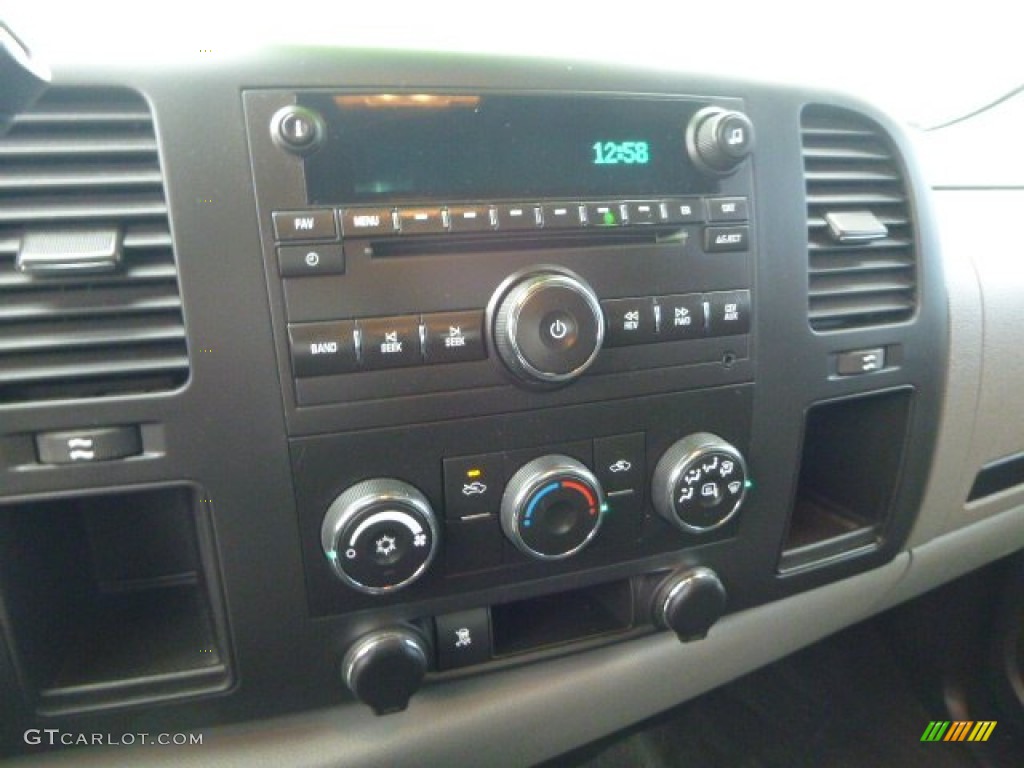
563	618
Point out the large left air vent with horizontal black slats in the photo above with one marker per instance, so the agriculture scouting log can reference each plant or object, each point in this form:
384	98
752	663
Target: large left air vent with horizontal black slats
90	303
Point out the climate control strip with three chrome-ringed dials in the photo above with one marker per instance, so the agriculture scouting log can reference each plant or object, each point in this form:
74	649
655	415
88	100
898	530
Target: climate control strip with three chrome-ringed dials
537	510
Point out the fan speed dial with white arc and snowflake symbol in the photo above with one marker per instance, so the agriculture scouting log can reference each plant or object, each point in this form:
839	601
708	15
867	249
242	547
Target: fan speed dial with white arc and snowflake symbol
380	536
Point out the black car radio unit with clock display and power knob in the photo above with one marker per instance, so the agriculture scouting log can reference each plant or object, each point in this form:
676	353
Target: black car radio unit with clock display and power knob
502	244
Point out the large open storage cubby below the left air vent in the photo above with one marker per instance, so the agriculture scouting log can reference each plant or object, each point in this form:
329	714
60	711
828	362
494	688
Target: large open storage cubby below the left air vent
112	599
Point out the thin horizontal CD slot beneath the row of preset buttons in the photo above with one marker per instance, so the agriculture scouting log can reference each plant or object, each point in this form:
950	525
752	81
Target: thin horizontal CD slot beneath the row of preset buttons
432	246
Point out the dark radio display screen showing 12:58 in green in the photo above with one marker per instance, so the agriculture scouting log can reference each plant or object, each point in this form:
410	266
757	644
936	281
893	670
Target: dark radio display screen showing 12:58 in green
390	148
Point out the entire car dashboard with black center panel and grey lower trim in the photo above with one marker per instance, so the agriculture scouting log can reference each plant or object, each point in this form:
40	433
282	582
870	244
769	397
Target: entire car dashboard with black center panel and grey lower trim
372	408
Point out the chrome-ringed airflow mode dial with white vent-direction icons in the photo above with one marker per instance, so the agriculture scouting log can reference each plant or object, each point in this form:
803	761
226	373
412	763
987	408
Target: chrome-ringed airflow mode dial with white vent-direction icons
700	483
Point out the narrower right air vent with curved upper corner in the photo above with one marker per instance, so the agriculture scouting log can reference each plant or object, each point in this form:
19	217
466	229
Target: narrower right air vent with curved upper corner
863	259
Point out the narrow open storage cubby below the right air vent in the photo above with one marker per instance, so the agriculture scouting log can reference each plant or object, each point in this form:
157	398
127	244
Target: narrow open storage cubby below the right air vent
854	450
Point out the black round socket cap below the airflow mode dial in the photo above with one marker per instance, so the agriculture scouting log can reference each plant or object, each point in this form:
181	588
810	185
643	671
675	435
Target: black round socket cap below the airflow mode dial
690	603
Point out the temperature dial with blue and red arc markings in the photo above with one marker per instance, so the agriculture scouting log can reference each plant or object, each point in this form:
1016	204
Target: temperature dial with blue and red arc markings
552	508
